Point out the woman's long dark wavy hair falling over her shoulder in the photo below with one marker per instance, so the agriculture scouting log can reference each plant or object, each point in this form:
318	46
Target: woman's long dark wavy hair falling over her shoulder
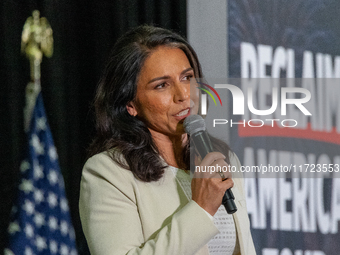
118	132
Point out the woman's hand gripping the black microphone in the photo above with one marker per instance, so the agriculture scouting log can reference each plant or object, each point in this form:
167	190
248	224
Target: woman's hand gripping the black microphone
208	188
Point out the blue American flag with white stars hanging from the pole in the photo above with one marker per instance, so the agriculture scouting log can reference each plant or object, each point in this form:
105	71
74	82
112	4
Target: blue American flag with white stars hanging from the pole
41	222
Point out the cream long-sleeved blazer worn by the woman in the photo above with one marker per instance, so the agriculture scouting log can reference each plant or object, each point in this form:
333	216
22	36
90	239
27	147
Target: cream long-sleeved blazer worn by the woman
122	215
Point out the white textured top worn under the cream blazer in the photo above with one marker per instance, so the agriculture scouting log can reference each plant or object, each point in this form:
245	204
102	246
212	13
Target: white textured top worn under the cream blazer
225	242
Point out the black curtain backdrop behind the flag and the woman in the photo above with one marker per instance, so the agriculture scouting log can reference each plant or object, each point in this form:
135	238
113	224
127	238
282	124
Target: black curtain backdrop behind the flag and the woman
84	32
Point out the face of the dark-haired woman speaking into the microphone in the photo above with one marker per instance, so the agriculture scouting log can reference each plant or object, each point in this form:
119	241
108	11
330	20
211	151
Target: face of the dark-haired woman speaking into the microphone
163	91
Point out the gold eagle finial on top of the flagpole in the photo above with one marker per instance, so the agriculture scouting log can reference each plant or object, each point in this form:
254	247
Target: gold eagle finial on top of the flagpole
36	40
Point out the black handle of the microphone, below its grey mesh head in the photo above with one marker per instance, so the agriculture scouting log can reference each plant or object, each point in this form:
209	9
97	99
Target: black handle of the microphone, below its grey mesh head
203	146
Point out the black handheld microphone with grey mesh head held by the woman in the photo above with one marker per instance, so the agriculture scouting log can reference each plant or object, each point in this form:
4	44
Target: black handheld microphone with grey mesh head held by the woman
194	125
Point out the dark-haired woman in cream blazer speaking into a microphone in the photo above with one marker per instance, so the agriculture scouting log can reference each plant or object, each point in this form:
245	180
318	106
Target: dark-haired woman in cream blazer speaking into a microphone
137	196
